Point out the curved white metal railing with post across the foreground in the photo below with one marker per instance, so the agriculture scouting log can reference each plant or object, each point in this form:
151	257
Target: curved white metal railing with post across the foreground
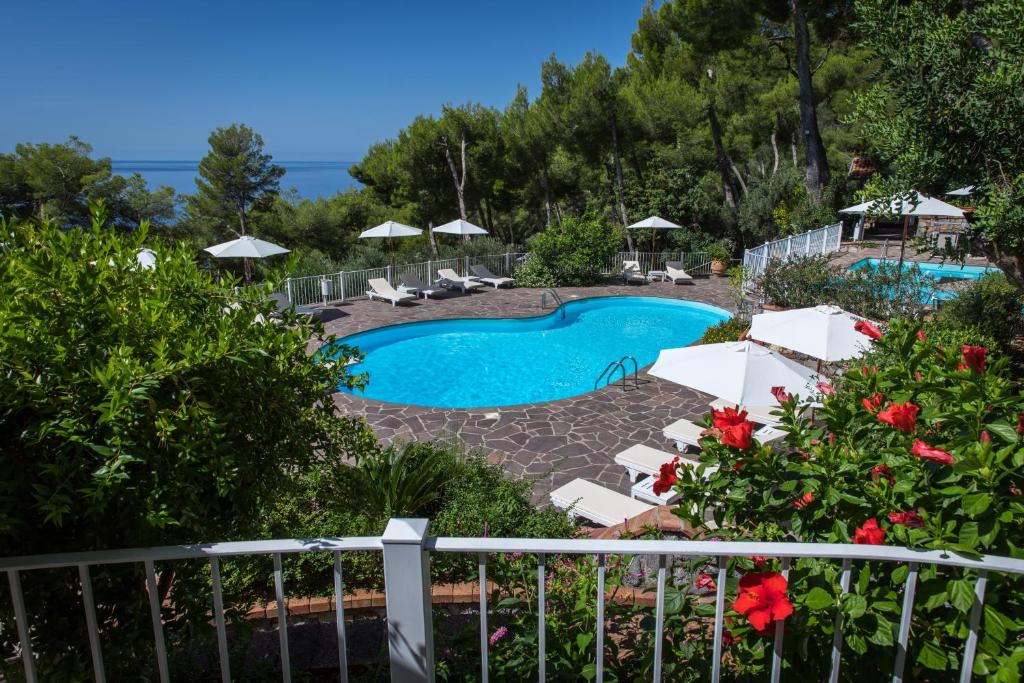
406	549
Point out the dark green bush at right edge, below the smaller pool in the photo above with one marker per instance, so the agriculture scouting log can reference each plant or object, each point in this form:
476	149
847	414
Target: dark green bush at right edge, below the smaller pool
991	306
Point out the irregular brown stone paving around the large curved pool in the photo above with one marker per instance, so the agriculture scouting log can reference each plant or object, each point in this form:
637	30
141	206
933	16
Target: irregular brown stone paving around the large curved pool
550	444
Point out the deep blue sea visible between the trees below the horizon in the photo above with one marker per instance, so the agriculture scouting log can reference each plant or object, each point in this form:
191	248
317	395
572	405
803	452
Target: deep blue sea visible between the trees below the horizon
310	180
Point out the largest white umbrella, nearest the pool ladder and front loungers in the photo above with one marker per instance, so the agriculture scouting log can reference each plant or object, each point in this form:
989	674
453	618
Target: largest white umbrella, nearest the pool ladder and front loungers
742	373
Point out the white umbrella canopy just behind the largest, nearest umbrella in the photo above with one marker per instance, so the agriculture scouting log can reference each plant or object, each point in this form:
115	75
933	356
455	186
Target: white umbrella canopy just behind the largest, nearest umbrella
822	332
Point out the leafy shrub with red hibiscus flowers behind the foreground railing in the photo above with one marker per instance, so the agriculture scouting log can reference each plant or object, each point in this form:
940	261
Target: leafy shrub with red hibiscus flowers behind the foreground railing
923	450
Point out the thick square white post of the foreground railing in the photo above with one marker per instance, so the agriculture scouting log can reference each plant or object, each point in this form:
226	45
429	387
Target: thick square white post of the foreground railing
407	586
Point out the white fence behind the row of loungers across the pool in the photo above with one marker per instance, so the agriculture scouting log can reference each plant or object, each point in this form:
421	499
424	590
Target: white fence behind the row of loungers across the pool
354	284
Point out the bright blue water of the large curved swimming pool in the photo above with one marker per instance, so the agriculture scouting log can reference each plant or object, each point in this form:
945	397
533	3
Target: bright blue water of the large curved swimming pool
506	362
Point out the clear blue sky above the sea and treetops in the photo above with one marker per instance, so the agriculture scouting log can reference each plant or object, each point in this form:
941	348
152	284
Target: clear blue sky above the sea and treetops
319	80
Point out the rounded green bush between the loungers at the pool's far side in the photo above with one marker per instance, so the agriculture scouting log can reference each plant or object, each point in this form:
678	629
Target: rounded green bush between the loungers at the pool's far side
573	254
